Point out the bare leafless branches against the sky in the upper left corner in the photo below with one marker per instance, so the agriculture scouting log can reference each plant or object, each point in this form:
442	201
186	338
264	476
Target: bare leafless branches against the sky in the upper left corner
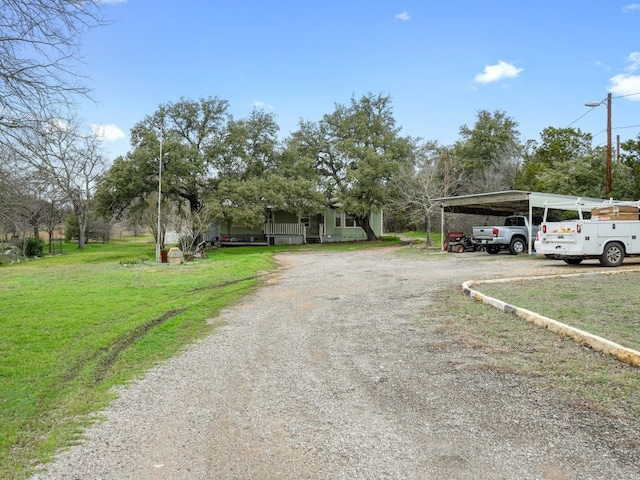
39	52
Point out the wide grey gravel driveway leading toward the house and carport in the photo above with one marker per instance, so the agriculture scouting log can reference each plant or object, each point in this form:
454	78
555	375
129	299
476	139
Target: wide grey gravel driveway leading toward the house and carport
323	374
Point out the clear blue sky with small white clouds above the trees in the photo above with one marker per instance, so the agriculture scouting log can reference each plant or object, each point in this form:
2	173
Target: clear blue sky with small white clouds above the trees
441	61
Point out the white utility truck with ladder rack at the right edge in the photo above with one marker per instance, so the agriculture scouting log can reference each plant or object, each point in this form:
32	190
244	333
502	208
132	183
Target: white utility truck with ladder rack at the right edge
612	233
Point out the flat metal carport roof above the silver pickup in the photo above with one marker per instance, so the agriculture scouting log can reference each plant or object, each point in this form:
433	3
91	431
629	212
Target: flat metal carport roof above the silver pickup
512	201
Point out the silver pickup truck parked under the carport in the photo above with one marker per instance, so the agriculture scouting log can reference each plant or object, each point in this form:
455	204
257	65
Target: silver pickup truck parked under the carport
513	235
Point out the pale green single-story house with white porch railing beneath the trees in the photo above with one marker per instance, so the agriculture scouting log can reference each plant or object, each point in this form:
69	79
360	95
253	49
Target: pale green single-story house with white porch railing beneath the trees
285	228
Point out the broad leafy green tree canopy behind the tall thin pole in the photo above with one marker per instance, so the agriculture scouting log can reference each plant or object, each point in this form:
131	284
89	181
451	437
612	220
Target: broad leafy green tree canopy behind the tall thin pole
232	169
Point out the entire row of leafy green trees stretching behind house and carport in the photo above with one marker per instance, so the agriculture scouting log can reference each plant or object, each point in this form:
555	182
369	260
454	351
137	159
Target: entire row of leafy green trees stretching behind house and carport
354	159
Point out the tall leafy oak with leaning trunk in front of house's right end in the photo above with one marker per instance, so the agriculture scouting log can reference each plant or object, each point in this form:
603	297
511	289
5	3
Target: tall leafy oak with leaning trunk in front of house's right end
356	151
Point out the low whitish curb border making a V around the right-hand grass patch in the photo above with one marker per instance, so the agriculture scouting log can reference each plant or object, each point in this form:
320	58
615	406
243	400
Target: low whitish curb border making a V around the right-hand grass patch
623	354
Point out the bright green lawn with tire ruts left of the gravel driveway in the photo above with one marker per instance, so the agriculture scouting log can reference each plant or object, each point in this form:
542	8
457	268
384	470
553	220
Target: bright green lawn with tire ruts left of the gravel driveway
75	325
